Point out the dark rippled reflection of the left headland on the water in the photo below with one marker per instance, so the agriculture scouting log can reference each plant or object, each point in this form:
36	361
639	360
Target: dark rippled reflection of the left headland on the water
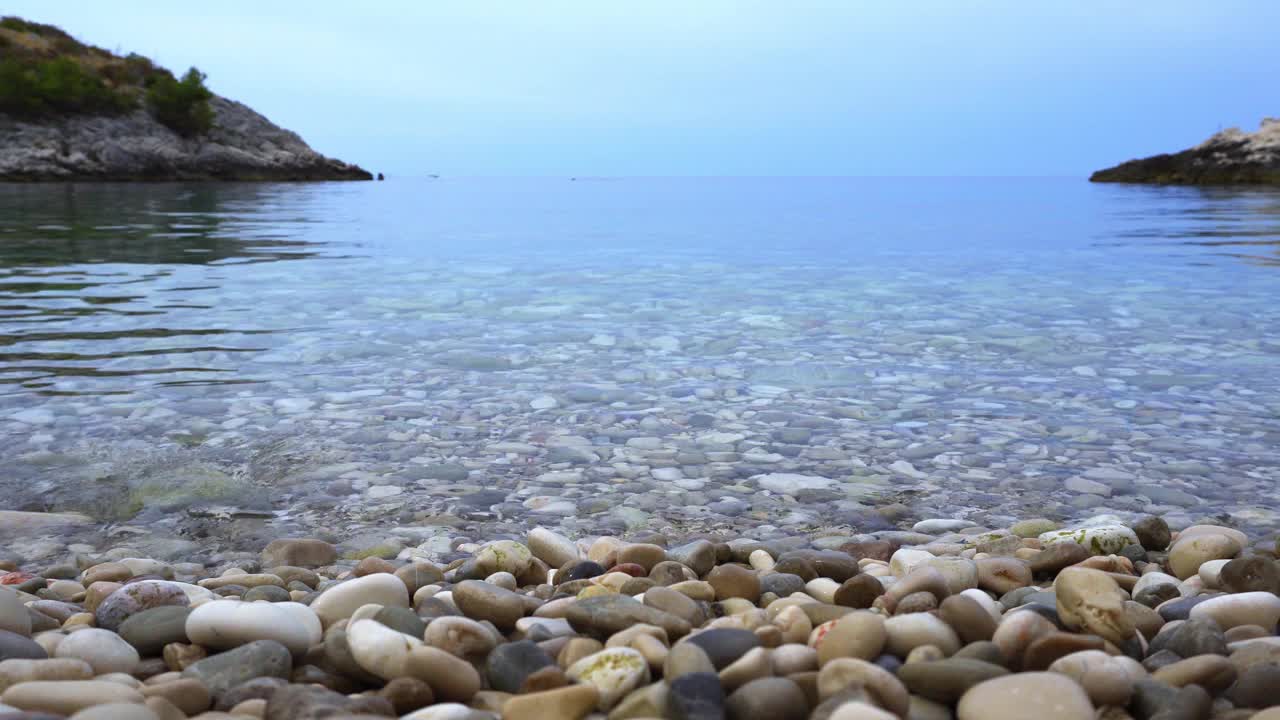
94	268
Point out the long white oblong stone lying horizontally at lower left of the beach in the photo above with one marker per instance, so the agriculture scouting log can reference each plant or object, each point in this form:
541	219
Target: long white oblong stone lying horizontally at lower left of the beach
226	625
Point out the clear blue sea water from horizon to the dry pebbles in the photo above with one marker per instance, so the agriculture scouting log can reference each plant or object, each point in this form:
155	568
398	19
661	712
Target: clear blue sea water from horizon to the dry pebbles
637	353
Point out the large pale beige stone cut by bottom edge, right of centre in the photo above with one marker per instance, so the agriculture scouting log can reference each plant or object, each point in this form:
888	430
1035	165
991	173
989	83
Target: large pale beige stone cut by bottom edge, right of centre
1045	696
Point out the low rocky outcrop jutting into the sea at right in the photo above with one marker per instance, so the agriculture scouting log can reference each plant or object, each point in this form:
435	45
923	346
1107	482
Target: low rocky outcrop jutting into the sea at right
1232	157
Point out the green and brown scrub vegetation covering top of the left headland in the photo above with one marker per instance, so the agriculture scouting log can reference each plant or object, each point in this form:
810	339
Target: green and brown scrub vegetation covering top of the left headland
48	74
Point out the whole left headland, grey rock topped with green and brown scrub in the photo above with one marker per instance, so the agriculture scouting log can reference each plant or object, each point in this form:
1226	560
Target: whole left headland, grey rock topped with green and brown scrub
72	112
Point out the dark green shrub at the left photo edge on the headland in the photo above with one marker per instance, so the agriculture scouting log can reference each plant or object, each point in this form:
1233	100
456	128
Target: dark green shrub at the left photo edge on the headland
58	86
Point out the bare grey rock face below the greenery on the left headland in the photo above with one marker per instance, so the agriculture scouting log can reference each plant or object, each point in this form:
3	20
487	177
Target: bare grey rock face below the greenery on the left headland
243	145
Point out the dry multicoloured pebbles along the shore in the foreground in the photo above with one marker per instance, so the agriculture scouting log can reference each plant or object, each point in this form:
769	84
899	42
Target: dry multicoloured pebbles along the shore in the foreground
947	621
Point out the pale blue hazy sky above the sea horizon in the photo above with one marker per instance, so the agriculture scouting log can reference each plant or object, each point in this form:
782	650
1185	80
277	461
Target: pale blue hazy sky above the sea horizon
719	88
